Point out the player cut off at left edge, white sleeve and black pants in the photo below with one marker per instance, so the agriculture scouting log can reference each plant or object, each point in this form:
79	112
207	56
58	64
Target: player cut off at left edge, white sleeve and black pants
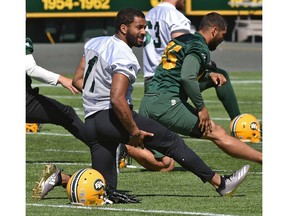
42	109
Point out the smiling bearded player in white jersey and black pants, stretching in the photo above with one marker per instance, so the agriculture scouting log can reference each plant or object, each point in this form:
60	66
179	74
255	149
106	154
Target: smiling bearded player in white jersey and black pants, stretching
105	76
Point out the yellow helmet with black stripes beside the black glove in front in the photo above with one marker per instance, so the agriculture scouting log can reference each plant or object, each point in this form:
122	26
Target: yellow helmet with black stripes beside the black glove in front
87	187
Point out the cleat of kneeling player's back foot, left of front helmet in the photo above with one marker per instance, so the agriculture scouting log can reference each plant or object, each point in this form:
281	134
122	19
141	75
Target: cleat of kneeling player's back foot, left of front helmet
50	178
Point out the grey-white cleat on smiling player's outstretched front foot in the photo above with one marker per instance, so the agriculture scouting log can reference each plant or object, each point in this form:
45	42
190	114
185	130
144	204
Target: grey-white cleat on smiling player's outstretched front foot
231	182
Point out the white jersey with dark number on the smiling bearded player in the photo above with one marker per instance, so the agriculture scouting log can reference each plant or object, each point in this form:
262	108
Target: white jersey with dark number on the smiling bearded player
105	56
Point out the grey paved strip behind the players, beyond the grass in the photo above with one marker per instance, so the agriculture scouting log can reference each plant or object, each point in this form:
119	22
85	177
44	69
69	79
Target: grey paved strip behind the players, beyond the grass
229	56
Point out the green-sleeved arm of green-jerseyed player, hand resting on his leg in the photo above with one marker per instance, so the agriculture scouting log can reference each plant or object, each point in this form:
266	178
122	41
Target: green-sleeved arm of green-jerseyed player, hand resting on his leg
189	71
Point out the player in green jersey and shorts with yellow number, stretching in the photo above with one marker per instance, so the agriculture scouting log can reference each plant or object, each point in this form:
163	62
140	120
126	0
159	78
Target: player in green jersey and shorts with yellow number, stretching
177	79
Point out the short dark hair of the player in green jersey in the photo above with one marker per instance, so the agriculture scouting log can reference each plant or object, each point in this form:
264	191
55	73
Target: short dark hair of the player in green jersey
213	19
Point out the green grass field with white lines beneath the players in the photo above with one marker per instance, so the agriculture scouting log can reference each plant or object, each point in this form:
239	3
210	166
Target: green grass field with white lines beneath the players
175	193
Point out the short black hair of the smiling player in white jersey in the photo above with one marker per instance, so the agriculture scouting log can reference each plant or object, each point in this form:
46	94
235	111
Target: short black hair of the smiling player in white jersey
126	16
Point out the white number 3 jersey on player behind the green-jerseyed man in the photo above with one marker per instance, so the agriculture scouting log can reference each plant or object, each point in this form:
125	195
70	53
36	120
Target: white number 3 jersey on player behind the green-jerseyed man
162	21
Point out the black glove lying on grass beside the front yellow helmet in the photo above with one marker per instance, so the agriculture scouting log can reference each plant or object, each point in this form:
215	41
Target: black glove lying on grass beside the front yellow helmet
117	197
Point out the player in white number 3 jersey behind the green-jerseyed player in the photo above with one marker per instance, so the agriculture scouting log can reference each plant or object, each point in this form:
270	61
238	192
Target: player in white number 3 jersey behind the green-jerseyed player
165	22
